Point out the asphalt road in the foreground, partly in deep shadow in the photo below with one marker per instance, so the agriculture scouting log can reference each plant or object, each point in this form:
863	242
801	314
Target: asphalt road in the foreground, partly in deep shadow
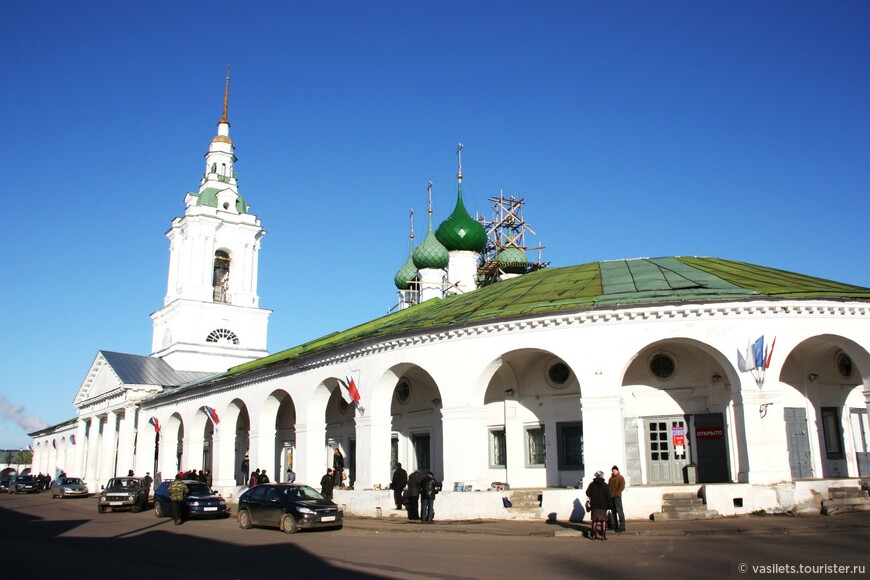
43	537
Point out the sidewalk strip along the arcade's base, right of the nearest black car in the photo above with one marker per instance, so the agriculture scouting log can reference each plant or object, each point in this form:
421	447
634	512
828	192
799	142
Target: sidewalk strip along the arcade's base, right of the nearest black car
758	525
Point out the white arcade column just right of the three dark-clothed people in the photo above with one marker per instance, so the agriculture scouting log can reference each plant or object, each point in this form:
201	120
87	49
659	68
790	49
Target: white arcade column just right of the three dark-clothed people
465	428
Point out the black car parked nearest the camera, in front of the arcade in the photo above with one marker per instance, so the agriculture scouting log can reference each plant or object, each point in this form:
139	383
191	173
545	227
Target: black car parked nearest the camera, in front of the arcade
287	506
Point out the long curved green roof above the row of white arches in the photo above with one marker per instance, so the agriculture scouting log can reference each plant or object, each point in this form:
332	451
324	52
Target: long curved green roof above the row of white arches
598	285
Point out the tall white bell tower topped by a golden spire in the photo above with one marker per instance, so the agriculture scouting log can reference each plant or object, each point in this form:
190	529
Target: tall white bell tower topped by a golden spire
211	320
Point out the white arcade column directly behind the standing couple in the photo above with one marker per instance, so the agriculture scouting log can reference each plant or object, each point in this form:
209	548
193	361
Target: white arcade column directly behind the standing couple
603	434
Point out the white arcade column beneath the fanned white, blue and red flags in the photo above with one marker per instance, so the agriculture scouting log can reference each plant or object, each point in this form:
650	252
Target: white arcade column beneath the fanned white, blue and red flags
762	439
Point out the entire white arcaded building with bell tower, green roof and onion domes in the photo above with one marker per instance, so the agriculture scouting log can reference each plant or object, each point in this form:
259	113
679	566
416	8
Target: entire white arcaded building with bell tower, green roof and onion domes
536	380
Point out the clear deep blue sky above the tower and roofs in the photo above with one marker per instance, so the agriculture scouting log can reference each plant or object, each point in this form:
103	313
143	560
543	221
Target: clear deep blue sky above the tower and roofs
729	129
